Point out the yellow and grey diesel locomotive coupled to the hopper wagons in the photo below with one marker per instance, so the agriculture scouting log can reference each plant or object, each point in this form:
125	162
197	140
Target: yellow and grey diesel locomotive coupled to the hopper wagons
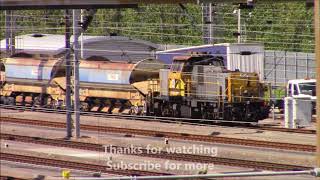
199	86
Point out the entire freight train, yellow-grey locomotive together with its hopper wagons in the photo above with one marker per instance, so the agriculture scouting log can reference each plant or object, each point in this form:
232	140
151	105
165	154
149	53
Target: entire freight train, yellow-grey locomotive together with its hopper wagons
193	86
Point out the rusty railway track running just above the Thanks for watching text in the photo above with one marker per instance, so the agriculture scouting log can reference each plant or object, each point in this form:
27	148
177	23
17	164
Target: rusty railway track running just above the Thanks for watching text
172	135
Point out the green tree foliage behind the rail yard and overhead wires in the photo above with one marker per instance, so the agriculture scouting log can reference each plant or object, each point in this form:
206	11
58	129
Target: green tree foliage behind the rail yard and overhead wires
280	26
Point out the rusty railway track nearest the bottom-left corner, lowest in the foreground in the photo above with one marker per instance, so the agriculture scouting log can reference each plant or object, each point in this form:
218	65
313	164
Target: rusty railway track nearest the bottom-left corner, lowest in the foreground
75	165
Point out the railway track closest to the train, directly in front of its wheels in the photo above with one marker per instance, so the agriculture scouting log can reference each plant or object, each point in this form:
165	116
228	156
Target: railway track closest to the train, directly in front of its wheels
173	120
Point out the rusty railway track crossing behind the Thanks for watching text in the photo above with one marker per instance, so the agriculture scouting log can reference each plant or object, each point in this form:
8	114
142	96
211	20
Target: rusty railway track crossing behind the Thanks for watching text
161	155
